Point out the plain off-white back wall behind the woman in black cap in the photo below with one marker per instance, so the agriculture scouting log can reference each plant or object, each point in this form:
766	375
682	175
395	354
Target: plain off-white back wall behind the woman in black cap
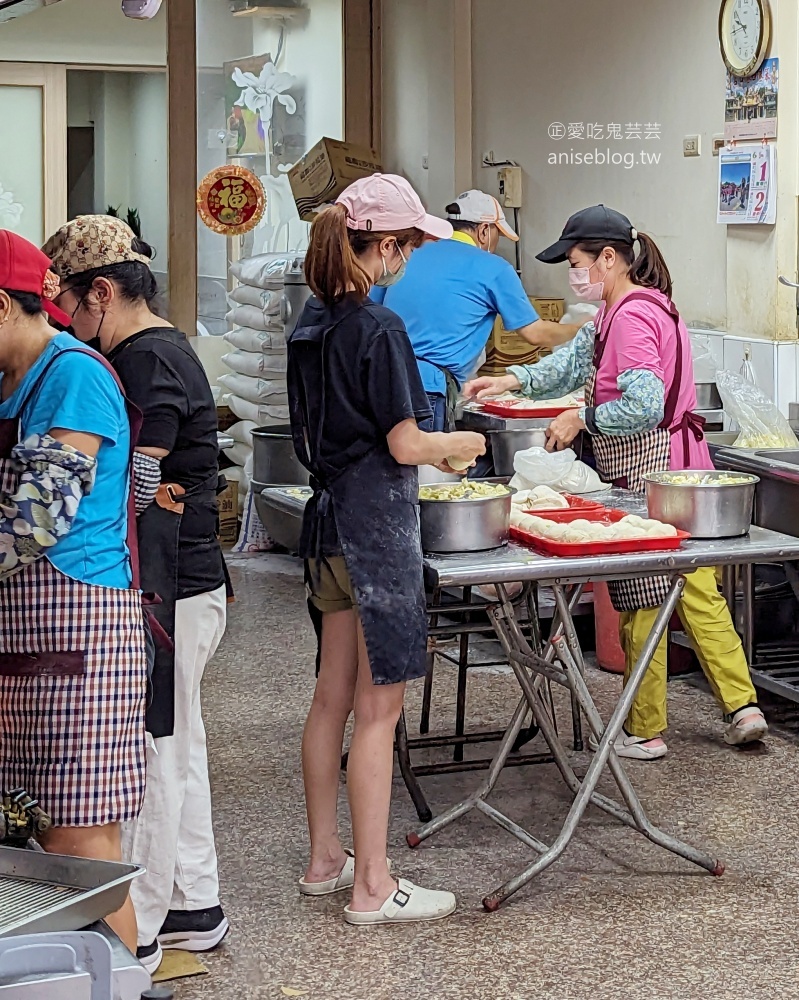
535	64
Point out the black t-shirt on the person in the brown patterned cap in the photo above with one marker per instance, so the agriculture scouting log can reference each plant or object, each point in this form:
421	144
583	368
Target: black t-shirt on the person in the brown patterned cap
164	378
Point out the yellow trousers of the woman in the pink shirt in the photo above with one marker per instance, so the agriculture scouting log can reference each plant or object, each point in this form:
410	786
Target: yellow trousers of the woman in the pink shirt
708	624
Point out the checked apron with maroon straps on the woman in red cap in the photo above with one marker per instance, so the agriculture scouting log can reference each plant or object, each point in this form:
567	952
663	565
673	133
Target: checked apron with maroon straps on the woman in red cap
73	674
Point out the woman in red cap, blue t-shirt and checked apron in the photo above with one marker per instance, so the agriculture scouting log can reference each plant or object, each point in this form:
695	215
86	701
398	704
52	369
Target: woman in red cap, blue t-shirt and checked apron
73	661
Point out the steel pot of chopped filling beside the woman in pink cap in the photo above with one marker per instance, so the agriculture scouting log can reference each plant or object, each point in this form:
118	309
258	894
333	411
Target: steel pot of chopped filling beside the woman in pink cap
465	525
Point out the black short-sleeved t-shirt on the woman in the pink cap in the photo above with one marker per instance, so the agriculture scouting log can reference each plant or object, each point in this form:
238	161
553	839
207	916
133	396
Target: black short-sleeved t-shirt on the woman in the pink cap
371	384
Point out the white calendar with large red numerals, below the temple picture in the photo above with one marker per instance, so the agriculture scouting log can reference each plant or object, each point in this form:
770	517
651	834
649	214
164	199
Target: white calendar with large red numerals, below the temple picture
748	185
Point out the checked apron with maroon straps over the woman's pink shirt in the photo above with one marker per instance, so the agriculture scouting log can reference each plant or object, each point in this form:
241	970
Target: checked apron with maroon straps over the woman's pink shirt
624	460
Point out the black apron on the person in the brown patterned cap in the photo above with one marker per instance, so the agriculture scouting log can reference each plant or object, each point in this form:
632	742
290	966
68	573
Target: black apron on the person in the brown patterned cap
159	550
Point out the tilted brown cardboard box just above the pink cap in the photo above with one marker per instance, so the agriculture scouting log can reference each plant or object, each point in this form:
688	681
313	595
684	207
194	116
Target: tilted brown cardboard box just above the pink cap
324	172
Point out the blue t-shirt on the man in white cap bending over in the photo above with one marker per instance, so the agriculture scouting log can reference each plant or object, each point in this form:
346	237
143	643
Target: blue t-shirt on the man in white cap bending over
449	299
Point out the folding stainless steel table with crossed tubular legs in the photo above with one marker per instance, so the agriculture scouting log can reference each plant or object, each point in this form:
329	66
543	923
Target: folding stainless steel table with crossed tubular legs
559	660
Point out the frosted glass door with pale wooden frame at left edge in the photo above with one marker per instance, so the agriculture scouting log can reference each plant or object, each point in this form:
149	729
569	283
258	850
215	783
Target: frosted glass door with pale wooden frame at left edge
33	154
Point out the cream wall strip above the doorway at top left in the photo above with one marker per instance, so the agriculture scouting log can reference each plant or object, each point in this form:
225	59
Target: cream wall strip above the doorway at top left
84	31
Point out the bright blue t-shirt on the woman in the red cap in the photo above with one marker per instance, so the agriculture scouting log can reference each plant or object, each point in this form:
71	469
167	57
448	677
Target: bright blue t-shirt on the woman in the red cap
78	394
